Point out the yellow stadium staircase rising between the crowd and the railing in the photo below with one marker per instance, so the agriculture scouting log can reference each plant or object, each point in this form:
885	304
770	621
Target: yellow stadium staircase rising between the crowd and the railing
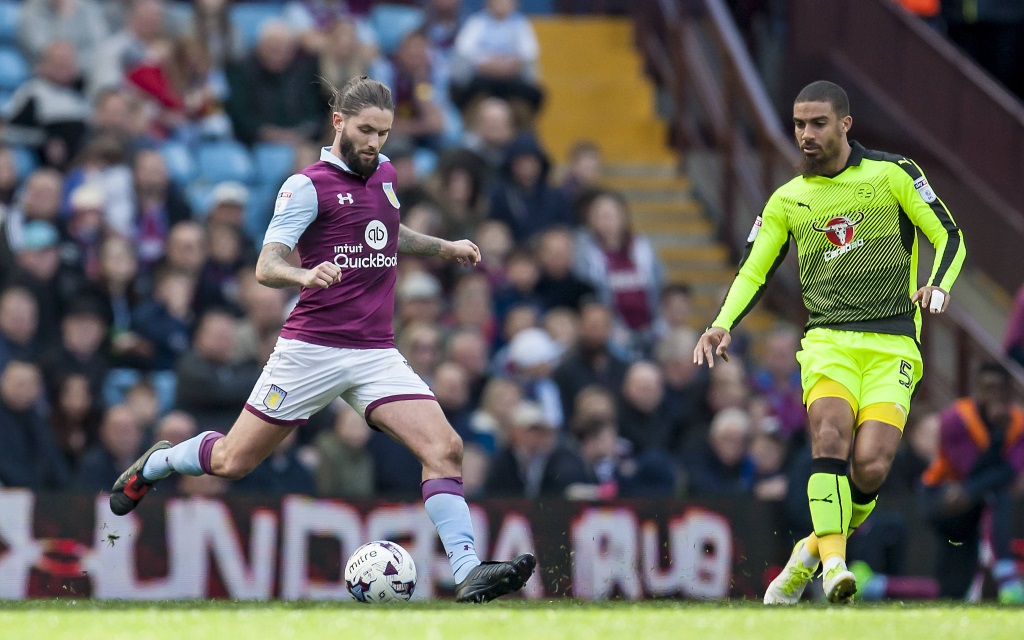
593	62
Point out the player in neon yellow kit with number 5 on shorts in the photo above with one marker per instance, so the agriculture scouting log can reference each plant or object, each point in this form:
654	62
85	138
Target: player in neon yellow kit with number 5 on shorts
854	215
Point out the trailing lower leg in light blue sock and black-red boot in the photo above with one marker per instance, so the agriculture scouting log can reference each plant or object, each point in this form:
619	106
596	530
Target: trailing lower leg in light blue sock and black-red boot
190	458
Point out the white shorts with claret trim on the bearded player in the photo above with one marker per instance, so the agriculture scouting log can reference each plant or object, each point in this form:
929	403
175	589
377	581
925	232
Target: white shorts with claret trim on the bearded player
301	379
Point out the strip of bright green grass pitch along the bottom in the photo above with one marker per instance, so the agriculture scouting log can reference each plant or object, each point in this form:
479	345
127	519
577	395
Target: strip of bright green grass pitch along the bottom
84	620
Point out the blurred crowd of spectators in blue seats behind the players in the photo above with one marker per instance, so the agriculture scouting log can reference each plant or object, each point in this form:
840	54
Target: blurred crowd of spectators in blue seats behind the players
145	143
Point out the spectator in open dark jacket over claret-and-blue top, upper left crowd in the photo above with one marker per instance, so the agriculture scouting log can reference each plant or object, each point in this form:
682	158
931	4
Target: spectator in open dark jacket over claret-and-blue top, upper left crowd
159	205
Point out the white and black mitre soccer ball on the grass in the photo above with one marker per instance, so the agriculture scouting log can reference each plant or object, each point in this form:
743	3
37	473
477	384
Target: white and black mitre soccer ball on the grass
381	572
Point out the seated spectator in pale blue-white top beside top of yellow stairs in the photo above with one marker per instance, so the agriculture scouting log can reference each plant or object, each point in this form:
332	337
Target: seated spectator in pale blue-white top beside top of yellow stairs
496	55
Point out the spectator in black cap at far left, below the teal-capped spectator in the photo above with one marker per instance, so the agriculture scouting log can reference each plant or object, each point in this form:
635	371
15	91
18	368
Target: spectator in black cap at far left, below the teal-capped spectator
83	331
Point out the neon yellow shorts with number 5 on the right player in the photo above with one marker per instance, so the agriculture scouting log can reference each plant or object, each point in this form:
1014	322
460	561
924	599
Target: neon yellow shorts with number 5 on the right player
876	373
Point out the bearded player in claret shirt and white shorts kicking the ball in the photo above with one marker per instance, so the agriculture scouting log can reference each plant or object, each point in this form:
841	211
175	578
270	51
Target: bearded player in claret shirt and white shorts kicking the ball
343	217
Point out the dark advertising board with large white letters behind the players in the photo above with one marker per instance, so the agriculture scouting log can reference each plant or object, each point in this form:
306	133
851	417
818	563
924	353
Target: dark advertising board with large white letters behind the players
292	547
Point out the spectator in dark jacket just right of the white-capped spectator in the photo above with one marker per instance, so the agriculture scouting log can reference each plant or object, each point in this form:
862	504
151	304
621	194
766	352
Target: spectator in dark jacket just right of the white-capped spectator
592	361
